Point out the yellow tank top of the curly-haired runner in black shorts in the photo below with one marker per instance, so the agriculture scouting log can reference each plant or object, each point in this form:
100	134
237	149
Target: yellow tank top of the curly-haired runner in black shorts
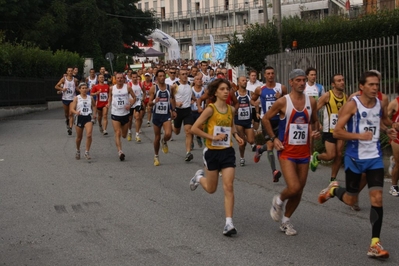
219	123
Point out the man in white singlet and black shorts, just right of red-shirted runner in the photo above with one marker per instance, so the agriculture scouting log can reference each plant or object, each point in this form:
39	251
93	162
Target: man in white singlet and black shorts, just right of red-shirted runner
120	106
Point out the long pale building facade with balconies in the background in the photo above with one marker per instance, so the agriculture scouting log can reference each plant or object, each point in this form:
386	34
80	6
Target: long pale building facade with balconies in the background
186	20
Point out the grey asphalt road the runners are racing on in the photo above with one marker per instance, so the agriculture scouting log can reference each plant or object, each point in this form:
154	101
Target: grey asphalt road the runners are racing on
56	210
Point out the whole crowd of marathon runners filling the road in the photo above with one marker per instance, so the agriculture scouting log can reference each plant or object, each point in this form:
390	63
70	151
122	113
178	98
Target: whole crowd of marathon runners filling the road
213	111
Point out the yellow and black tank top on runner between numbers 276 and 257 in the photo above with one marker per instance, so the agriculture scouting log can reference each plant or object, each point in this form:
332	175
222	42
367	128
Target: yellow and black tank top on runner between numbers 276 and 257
331	109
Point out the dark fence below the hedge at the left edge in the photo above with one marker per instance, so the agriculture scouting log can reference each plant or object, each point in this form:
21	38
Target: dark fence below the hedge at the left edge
15	91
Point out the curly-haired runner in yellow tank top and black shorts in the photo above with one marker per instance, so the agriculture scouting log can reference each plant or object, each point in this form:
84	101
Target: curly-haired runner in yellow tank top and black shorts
219	155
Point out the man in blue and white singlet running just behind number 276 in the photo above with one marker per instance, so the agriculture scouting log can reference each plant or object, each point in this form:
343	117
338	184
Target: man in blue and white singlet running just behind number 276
268	94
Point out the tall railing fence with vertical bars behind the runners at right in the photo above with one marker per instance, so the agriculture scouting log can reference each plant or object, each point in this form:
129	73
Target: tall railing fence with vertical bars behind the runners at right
349	59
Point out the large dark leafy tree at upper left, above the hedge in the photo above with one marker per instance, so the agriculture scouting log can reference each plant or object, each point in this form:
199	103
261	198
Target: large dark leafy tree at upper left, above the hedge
89	27
